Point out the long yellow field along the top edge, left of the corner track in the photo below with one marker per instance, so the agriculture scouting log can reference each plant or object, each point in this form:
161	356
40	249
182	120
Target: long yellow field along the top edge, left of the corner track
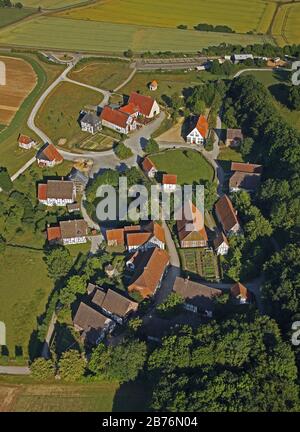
241	15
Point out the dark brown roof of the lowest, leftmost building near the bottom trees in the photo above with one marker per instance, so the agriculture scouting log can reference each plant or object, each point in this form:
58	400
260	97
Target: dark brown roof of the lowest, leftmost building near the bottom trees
87	318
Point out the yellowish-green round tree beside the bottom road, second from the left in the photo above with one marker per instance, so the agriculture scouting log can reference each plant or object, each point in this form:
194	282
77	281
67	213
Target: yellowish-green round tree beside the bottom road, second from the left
71	366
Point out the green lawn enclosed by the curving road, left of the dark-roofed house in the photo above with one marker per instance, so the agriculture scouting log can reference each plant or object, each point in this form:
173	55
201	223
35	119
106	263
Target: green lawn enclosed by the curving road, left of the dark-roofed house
58	116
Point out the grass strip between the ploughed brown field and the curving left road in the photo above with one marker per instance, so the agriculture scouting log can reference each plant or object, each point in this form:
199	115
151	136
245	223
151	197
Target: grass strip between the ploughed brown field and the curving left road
11	155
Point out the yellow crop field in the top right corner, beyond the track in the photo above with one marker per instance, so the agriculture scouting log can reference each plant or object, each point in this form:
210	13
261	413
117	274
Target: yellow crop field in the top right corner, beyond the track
286	27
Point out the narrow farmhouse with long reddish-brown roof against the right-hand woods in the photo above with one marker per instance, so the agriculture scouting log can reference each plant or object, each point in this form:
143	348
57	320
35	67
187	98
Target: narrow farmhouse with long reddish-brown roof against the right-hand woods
227	216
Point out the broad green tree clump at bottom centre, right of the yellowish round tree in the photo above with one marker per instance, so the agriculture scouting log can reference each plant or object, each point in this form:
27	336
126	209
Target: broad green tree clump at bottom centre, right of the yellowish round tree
122	362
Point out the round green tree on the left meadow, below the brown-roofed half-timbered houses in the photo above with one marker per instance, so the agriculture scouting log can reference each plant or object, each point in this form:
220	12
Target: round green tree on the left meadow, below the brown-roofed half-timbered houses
59	262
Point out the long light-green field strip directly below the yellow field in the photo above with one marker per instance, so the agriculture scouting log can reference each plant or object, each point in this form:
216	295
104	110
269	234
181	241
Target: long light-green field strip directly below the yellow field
67	34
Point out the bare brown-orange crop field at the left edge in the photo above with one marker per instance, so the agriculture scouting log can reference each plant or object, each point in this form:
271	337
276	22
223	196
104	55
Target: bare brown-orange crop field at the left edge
19	80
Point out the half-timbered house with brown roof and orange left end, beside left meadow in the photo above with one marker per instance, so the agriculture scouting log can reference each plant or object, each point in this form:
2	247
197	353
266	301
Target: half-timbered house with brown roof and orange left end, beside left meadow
57	192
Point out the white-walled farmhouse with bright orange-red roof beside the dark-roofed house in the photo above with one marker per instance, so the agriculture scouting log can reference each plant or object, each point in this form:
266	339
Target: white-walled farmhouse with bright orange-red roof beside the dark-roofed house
117	120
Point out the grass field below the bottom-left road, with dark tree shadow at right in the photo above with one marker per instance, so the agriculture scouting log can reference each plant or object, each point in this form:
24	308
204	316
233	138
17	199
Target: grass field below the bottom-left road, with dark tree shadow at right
23	395
